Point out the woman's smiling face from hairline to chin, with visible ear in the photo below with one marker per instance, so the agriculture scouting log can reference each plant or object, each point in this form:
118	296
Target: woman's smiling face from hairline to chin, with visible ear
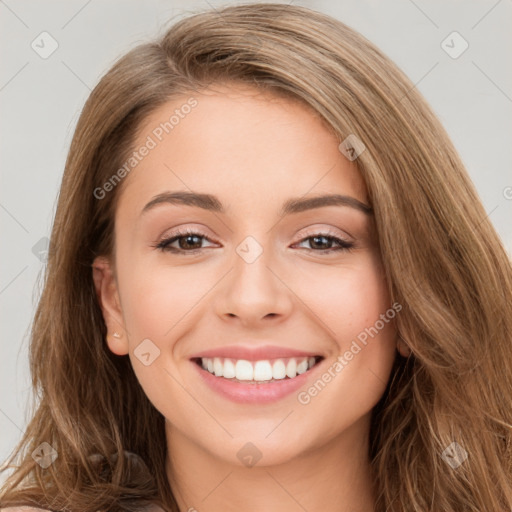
230	271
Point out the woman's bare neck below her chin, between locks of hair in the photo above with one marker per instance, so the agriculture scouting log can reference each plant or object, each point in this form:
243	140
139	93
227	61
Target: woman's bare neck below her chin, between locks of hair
333	477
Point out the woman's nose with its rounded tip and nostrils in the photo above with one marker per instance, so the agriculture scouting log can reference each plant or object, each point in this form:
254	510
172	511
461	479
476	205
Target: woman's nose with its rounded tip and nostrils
254	293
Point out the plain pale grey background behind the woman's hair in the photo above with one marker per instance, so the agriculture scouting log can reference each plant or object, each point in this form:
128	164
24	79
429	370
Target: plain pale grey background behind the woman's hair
41	99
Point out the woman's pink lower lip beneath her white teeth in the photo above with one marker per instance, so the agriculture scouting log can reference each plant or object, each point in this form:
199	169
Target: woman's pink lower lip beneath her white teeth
254	393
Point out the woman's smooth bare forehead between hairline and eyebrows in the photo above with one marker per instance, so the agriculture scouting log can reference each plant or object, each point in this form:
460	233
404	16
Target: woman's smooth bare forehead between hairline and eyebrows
242	144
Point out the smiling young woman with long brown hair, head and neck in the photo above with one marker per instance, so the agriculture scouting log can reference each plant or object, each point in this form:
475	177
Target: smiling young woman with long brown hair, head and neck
270	284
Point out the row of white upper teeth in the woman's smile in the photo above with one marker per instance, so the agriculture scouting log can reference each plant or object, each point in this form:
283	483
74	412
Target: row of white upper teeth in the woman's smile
259	371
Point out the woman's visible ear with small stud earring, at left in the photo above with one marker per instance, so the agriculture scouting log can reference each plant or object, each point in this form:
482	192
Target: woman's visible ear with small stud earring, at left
108	297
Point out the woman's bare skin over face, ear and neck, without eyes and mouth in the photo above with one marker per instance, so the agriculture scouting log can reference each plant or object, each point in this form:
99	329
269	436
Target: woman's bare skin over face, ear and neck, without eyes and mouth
253	151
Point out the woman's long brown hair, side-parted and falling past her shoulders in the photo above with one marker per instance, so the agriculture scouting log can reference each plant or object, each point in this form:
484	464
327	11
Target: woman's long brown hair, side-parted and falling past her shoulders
443	260
